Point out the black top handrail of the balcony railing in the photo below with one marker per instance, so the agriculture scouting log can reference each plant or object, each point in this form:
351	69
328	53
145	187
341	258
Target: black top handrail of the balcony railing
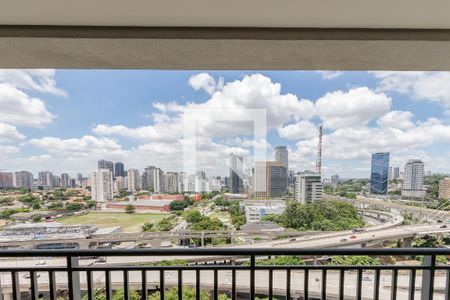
224	252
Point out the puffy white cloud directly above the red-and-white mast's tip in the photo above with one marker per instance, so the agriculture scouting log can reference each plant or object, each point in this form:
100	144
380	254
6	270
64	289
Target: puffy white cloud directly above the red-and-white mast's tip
356	107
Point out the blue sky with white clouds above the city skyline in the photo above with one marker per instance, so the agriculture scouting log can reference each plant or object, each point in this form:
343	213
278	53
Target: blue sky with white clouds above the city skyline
65	120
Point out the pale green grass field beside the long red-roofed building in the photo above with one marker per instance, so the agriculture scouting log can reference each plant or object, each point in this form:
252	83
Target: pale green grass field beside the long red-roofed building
129	222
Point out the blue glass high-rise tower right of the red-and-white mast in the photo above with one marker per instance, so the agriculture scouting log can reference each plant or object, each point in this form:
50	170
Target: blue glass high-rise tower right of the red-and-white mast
379	173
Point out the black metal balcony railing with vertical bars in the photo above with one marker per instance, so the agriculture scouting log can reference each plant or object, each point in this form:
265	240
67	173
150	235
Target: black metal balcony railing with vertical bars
236	273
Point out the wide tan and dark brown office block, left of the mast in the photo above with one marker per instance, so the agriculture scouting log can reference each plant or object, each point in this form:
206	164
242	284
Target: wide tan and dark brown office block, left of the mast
270	179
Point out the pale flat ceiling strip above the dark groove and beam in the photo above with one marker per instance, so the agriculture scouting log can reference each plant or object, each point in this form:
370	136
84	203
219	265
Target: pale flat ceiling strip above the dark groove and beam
410	14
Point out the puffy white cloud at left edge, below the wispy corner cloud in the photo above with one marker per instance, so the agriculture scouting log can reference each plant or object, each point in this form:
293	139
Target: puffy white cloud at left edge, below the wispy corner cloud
20	109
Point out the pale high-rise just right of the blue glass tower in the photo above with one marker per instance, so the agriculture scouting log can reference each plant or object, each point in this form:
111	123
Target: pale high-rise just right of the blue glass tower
412	186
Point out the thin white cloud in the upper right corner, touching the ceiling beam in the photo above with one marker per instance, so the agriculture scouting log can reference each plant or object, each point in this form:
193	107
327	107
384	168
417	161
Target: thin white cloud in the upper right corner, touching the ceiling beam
431	86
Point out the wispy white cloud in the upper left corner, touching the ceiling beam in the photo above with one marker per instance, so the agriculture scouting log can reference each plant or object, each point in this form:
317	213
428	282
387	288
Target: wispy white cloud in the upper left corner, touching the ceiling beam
41	80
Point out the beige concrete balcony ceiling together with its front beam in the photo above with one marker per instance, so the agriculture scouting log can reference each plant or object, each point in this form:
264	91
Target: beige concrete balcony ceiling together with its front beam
226	34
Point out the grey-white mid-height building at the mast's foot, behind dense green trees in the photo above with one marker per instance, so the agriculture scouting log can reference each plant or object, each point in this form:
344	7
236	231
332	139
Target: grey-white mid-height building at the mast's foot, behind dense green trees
308	187
